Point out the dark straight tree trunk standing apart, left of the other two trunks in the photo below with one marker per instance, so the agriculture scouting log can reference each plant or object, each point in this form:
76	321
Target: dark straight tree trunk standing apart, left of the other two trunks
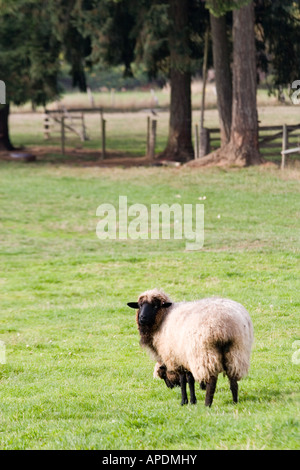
179	146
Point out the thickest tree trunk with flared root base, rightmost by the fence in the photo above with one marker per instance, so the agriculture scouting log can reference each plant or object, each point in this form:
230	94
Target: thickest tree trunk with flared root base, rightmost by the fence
242	149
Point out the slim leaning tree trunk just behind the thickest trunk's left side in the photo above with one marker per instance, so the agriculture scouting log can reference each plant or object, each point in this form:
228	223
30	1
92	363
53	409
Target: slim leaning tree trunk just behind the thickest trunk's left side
223	75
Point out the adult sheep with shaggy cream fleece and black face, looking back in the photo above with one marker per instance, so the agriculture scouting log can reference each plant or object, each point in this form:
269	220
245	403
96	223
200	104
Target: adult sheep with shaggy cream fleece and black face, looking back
203	337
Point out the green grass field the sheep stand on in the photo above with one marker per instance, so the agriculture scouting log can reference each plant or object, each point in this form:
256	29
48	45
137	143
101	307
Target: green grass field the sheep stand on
75	376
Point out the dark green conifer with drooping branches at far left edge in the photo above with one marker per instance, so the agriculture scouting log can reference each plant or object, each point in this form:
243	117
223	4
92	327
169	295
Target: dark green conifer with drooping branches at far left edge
33	35
